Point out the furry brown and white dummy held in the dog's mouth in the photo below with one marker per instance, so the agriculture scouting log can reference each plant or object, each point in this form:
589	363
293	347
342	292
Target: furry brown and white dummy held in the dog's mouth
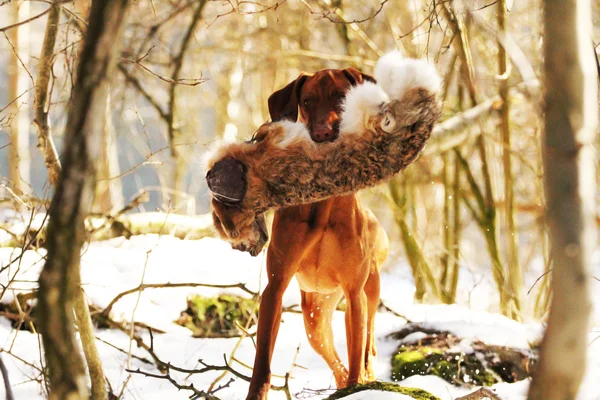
383	129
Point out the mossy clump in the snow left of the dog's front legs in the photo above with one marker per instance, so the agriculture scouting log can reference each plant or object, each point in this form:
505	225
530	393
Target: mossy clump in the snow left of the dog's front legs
217	316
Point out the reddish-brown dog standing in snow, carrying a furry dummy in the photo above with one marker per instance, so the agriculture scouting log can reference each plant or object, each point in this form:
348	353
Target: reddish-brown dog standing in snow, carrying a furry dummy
334	248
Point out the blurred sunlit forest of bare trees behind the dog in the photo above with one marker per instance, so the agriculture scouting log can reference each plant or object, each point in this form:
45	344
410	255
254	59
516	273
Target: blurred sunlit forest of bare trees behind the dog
194	71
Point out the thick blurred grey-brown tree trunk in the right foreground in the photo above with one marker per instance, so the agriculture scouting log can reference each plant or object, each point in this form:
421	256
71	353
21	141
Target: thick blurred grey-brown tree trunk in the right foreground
571	121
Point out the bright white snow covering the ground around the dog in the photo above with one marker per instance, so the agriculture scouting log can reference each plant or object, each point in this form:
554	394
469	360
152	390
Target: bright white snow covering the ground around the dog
111	267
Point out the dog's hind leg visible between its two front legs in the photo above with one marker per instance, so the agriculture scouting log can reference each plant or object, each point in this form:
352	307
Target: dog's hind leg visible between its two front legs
317	310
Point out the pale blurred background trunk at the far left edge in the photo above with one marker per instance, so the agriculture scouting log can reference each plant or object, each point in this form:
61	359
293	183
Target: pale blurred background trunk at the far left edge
18	83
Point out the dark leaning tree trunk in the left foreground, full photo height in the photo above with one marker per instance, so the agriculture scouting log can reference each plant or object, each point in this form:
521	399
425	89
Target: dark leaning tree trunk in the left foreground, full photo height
60	278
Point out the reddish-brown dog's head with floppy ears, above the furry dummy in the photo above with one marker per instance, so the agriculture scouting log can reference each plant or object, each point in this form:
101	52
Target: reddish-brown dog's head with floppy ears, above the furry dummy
316	100
